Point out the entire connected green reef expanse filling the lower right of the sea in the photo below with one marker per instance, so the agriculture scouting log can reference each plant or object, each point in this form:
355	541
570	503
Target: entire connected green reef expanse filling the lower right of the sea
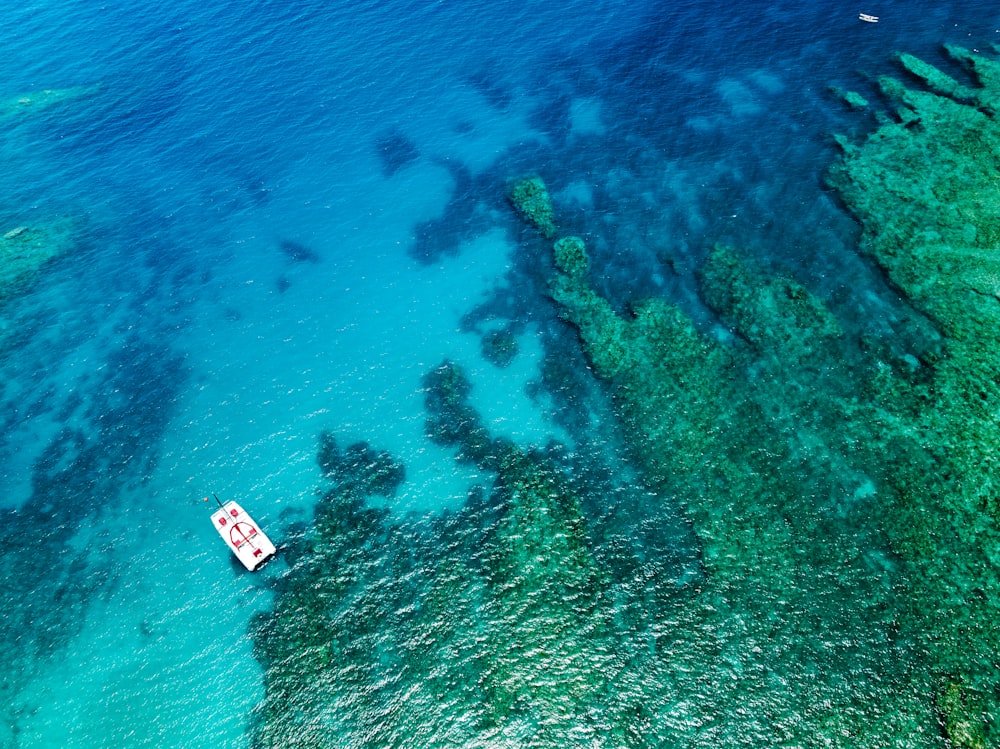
841	490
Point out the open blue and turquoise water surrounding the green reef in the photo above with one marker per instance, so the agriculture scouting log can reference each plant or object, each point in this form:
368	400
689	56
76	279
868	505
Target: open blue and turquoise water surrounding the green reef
285	214
